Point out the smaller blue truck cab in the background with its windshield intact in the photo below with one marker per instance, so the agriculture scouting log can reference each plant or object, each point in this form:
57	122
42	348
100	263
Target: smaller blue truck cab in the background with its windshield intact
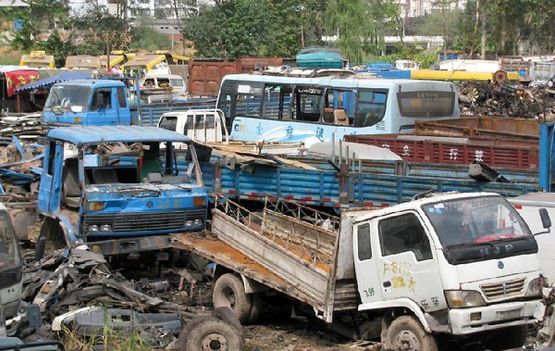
92	102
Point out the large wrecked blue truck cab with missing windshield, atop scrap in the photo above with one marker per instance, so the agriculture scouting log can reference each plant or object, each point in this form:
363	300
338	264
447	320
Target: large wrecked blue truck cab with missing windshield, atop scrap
118	188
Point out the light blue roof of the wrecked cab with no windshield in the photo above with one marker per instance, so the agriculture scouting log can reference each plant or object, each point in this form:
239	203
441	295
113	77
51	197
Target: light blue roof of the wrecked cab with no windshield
80	135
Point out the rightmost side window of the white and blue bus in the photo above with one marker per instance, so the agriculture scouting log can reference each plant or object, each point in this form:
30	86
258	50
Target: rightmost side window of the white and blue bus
370	107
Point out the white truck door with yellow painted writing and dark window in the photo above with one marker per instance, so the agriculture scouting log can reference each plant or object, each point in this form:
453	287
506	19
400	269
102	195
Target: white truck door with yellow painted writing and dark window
406	264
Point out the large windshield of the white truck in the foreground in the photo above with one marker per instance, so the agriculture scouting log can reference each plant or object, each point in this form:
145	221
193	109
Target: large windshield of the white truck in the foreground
473	221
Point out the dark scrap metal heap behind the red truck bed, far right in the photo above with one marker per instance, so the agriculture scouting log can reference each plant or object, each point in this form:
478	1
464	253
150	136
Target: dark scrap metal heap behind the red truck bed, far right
501	99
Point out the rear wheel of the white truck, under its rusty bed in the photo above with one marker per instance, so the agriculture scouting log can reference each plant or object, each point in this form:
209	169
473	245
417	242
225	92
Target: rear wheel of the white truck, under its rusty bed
230	292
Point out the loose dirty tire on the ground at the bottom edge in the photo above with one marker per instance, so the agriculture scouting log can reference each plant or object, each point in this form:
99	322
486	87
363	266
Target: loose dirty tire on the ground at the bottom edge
213	334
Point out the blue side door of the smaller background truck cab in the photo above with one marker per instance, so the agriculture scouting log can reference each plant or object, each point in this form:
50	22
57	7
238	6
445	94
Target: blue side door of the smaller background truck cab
103	108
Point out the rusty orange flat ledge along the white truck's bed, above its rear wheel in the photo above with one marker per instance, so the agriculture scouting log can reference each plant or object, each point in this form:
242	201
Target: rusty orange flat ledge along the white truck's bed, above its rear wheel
210	247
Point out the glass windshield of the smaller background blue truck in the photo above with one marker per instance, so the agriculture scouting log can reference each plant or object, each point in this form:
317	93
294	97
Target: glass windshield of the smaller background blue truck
64	97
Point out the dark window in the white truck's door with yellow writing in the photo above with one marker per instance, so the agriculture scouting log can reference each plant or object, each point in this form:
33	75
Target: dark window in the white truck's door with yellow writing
404	233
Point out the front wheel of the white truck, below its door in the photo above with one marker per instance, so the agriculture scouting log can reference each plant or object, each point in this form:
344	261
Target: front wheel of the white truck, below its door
407	334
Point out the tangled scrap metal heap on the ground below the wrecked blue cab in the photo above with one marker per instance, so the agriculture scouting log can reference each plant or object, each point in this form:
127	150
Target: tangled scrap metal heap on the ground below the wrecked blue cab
78	292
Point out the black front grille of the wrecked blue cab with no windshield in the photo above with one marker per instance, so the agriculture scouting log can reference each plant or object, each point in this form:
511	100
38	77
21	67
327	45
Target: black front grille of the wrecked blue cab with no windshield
138	222
